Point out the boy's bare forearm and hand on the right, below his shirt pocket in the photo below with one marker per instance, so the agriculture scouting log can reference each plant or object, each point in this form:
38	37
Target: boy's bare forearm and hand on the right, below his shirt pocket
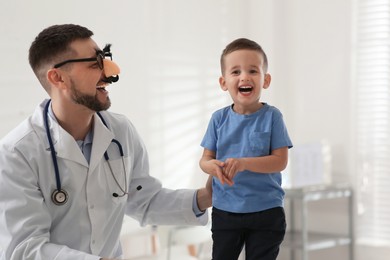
275	162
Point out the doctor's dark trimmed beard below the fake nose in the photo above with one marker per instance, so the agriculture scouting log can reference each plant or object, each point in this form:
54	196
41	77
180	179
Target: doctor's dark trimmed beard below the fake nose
89	101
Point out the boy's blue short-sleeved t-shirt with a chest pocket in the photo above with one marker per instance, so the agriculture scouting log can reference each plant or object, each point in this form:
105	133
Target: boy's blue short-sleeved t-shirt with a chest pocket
233	135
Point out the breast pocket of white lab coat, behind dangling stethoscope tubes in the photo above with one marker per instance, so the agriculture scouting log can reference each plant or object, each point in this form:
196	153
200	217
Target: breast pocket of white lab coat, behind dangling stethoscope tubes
118	178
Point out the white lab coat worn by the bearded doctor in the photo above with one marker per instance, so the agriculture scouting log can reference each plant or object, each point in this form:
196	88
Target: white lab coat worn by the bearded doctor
88	225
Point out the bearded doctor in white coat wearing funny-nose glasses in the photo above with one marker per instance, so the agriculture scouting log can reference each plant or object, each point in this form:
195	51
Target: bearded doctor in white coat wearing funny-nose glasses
70	172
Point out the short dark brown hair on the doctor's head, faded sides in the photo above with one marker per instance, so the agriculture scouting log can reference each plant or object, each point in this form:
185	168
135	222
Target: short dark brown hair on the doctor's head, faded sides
52	44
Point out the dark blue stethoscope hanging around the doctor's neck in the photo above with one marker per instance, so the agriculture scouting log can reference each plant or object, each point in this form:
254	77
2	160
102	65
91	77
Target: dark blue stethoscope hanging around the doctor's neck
59	195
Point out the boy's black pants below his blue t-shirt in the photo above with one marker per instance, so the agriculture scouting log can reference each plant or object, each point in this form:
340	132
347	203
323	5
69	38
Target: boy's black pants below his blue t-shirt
261	232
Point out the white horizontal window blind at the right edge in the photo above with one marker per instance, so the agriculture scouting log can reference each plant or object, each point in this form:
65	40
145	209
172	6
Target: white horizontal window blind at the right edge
372	124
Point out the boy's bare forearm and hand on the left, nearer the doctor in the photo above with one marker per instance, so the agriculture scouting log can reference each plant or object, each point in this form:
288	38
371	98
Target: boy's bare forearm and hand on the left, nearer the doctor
211	166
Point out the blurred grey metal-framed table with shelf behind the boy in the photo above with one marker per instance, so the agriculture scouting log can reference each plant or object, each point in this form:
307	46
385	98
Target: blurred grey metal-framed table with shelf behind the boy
305	240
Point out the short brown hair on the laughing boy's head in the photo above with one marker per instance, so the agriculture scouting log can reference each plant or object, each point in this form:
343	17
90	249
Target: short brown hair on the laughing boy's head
243	44
